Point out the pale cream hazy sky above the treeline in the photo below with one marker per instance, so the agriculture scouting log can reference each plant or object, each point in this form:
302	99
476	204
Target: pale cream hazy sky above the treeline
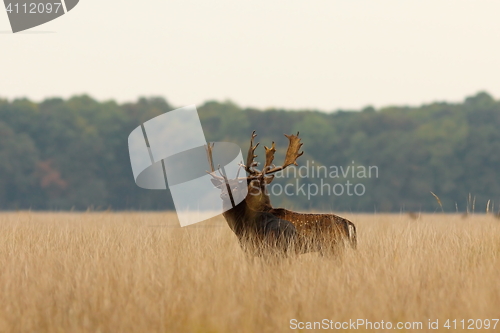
324	54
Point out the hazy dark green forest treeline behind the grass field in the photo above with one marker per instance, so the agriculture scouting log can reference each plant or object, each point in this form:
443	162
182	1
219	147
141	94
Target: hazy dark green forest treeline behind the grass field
72	154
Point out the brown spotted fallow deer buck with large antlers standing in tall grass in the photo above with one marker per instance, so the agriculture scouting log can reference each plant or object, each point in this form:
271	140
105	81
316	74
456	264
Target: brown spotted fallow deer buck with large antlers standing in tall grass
255	219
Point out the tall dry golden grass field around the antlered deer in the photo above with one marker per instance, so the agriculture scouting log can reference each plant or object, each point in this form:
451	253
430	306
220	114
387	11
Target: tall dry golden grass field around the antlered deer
141	272
